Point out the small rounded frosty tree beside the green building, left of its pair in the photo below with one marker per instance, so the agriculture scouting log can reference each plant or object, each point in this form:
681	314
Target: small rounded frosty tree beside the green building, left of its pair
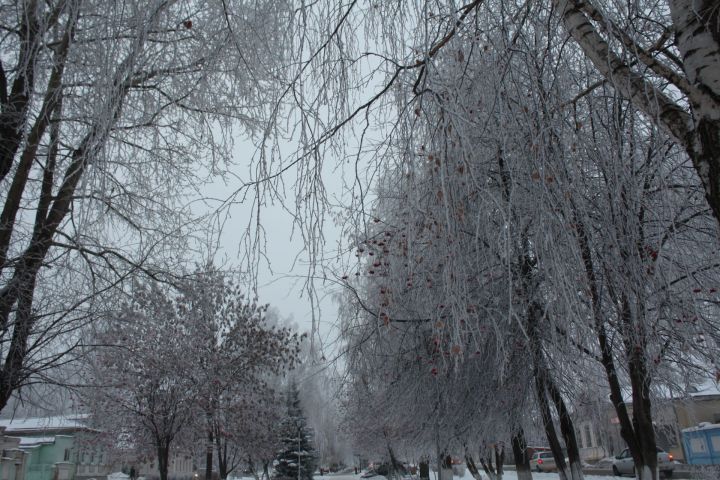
142	392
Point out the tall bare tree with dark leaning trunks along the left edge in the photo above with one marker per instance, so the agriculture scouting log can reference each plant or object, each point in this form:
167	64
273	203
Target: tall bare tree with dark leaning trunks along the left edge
112	116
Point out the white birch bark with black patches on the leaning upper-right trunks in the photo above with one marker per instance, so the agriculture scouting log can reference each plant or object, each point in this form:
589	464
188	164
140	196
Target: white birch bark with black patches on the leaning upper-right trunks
698	38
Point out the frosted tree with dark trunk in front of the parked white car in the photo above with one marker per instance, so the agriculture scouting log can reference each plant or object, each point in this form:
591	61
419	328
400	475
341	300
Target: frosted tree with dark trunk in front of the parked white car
660	208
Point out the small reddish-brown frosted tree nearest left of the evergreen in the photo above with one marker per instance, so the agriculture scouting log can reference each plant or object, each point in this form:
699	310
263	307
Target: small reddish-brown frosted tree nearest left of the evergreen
236	352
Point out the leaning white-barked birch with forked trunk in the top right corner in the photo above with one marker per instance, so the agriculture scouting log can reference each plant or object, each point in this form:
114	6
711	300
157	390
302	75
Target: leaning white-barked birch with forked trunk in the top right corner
665	59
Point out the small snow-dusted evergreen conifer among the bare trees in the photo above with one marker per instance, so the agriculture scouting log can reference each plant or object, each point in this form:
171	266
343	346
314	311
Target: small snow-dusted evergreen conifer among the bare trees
296	458
